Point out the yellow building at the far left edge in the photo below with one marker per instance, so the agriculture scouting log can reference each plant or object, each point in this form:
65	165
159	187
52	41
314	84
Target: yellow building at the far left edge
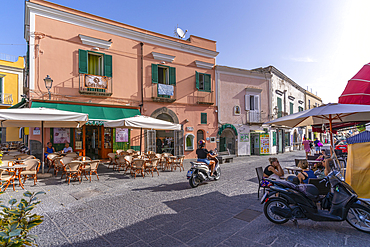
11	89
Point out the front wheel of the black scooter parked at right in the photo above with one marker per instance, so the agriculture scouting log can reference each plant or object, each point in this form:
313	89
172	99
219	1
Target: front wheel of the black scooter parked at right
359	217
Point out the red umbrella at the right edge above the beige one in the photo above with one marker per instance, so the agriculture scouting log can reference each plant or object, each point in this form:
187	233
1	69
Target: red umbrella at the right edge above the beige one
357	90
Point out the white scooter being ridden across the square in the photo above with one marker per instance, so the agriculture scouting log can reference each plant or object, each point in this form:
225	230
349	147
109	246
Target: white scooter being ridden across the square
200	172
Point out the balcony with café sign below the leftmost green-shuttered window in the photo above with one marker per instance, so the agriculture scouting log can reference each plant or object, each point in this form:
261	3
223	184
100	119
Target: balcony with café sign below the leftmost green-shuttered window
95	85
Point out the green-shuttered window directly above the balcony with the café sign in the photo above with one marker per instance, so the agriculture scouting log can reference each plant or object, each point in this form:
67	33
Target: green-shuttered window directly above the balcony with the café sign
94	63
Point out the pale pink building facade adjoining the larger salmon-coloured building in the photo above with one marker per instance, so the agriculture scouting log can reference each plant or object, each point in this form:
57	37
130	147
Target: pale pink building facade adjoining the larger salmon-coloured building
243	106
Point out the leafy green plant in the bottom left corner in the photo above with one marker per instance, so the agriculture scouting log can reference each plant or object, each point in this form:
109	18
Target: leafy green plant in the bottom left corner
17	221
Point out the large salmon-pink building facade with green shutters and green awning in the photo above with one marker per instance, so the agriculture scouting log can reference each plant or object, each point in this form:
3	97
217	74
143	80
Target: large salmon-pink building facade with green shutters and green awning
112	70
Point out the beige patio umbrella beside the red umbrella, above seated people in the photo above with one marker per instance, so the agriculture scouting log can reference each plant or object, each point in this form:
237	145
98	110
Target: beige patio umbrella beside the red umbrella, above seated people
330	113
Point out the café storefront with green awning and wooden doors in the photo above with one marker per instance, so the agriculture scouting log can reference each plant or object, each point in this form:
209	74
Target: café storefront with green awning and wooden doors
92	139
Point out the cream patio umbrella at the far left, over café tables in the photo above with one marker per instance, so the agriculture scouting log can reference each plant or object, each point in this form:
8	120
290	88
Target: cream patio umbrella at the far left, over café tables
41	117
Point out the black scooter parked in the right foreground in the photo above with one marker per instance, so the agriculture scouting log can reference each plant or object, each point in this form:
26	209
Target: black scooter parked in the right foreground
286	201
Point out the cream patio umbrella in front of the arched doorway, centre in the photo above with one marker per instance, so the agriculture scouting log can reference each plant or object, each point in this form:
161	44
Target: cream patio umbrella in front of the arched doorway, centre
142	122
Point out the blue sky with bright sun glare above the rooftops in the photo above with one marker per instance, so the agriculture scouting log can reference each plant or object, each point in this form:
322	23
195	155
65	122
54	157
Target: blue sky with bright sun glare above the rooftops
318	44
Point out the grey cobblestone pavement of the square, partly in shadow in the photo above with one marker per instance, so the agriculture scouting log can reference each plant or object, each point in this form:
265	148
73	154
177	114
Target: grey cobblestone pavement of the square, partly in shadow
163	210
